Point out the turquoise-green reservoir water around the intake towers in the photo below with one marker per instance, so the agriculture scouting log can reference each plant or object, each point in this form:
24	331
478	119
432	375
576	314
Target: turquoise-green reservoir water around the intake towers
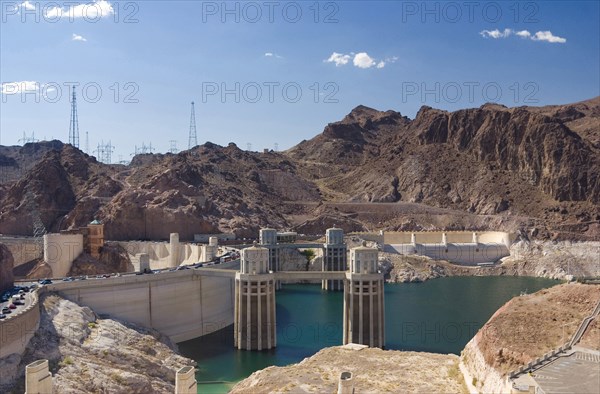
438	316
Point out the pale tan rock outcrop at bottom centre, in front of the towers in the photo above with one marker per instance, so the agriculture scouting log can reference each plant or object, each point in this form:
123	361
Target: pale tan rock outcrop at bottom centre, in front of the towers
374	371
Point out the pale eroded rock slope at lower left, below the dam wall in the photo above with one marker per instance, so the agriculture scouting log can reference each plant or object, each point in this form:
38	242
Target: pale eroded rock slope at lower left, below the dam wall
89	354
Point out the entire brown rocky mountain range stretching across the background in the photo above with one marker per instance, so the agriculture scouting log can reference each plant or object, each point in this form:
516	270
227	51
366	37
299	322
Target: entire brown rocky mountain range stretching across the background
488	167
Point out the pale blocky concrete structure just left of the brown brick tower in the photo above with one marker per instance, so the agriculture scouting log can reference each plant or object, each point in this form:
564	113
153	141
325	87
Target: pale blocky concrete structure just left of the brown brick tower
60	250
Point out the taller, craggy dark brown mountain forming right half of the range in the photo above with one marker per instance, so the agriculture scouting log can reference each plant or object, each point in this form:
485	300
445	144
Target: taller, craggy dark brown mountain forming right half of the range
541	163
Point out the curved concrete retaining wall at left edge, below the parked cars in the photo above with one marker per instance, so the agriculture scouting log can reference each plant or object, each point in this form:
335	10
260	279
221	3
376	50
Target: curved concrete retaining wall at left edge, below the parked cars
17	330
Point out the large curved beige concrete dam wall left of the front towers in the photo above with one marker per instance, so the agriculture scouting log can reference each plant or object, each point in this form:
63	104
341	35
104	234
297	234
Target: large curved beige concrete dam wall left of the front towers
180	304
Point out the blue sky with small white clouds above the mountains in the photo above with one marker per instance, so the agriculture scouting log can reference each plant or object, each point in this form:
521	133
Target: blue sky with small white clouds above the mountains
269	74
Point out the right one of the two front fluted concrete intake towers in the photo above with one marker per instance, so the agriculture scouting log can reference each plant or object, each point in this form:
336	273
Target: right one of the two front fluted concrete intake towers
363	300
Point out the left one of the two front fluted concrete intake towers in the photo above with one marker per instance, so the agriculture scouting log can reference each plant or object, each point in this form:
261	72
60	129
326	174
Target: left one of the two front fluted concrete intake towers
254	320
